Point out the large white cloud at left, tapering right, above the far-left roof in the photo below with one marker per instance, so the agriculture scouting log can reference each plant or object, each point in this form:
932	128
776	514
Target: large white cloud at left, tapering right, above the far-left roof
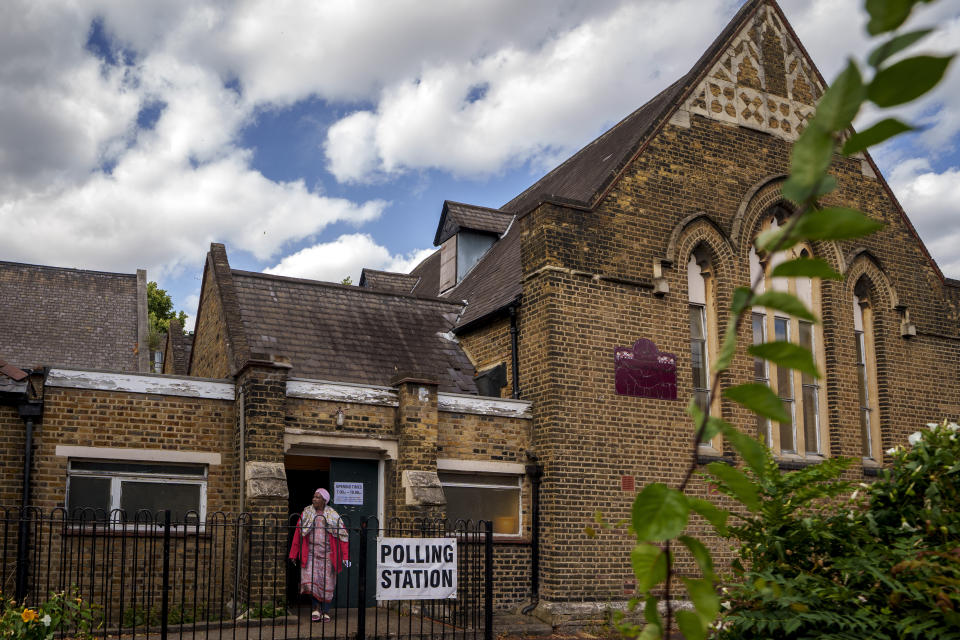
164	217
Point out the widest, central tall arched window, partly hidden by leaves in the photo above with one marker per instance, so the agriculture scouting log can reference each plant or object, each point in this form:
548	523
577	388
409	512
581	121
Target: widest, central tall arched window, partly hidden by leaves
800	393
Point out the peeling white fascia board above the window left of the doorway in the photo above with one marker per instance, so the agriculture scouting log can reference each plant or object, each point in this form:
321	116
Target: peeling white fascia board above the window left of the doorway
141	383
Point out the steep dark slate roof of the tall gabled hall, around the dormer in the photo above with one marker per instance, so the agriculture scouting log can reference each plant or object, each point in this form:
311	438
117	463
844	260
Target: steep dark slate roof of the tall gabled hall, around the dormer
580	180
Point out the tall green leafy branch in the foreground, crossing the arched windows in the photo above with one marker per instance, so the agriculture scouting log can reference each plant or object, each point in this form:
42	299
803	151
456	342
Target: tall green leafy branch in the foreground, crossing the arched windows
660	513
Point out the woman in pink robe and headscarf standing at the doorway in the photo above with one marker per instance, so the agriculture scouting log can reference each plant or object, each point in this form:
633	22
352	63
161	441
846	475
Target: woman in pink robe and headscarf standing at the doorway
320	548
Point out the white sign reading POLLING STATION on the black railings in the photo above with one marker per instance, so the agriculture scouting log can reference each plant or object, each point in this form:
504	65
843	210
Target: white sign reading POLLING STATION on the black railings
416	568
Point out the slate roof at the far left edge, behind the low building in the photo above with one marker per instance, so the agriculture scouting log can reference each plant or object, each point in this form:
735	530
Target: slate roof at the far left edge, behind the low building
68	317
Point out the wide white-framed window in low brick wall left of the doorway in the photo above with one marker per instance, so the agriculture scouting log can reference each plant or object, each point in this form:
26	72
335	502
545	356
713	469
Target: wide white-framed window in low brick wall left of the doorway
105	486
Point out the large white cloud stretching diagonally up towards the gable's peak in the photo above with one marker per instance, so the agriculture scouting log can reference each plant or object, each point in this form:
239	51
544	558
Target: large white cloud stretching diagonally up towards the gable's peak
532	101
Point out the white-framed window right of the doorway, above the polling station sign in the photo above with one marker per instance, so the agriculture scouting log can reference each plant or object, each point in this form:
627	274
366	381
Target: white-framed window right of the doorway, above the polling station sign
483	496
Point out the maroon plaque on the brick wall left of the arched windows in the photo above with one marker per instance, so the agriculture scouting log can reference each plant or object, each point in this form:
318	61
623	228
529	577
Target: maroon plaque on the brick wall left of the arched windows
645	372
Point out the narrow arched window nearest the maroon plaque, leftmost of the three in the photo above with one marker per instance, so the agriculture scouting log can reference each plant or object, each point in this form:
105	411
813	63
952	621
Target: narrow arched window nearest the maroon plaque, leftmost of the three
702	326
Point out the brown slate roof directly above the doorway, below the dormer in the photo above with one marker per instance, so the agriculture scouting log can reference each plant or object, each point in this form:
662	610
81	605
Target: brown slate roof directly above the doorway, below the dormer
351	334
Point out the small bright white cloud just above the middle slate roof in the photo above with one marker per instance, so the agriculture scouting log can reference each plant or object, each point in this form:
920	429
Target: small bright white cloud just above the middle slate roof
345	256
